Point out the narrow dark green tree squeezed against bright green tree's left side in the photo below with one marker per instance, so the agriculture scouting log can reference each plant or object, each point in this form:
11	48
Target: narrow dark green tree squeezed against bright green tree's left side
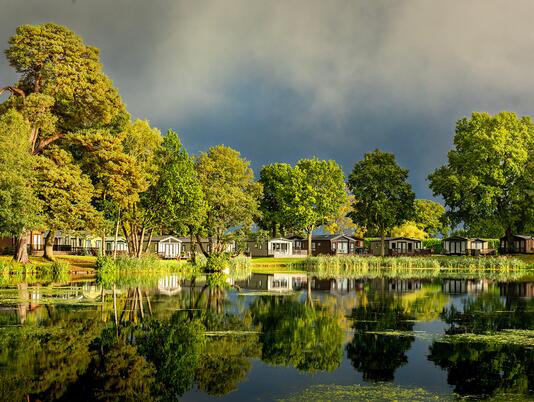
275	178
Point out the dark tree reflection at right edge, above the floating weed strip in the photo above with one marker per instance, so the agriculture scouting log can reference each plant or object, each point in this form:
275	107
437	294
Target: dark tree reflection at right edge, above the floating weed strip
488	312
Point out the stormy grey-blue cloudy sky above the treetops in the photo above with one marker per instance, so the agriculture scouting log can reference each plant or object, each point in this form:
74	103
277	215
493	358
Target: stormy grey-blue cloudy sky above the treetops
285	80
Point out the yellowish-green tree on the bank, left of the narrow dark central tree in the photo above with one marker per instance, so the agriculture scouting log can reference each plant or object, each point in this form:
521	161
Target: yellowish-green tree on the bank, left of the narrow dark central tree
230	191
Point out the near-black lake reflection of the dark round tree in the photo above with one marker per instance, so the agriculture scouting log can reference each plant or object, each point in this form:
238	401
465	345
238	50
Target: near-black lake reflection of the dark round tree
377	356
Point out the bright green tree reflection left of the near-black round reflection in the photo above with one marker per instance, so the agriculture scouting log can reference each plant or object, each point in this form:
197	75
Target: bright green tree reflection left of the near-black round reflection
293	333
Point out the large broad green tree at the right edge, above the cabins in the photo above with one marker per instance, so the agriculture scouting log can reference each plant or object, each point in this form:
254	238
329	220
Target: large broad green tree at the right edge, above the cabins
485	179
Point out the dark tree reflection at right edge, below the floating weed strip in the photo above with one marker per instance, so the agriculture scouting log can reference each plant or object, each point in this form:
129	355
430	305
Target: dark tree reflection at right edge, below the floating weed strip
485	369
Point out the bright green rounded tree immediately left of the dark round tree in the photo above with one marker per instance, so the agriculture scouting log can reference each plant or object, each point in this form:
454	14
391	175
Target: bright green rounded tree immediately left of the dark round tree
315	194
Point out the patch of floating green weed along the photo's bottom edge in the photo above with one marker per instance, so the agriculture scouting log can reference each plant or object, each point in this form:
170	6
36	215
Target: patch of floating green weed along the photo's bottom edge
376	392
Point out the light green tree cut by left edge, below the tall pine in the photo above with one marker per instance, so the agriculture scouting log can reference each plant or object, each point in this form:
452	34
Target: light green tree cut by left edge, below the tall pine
19	206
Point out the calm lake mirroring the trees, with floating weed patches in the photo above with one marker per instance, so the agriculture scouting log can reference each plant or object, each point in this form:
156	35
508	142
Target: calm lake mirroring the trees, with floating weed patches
268	337
